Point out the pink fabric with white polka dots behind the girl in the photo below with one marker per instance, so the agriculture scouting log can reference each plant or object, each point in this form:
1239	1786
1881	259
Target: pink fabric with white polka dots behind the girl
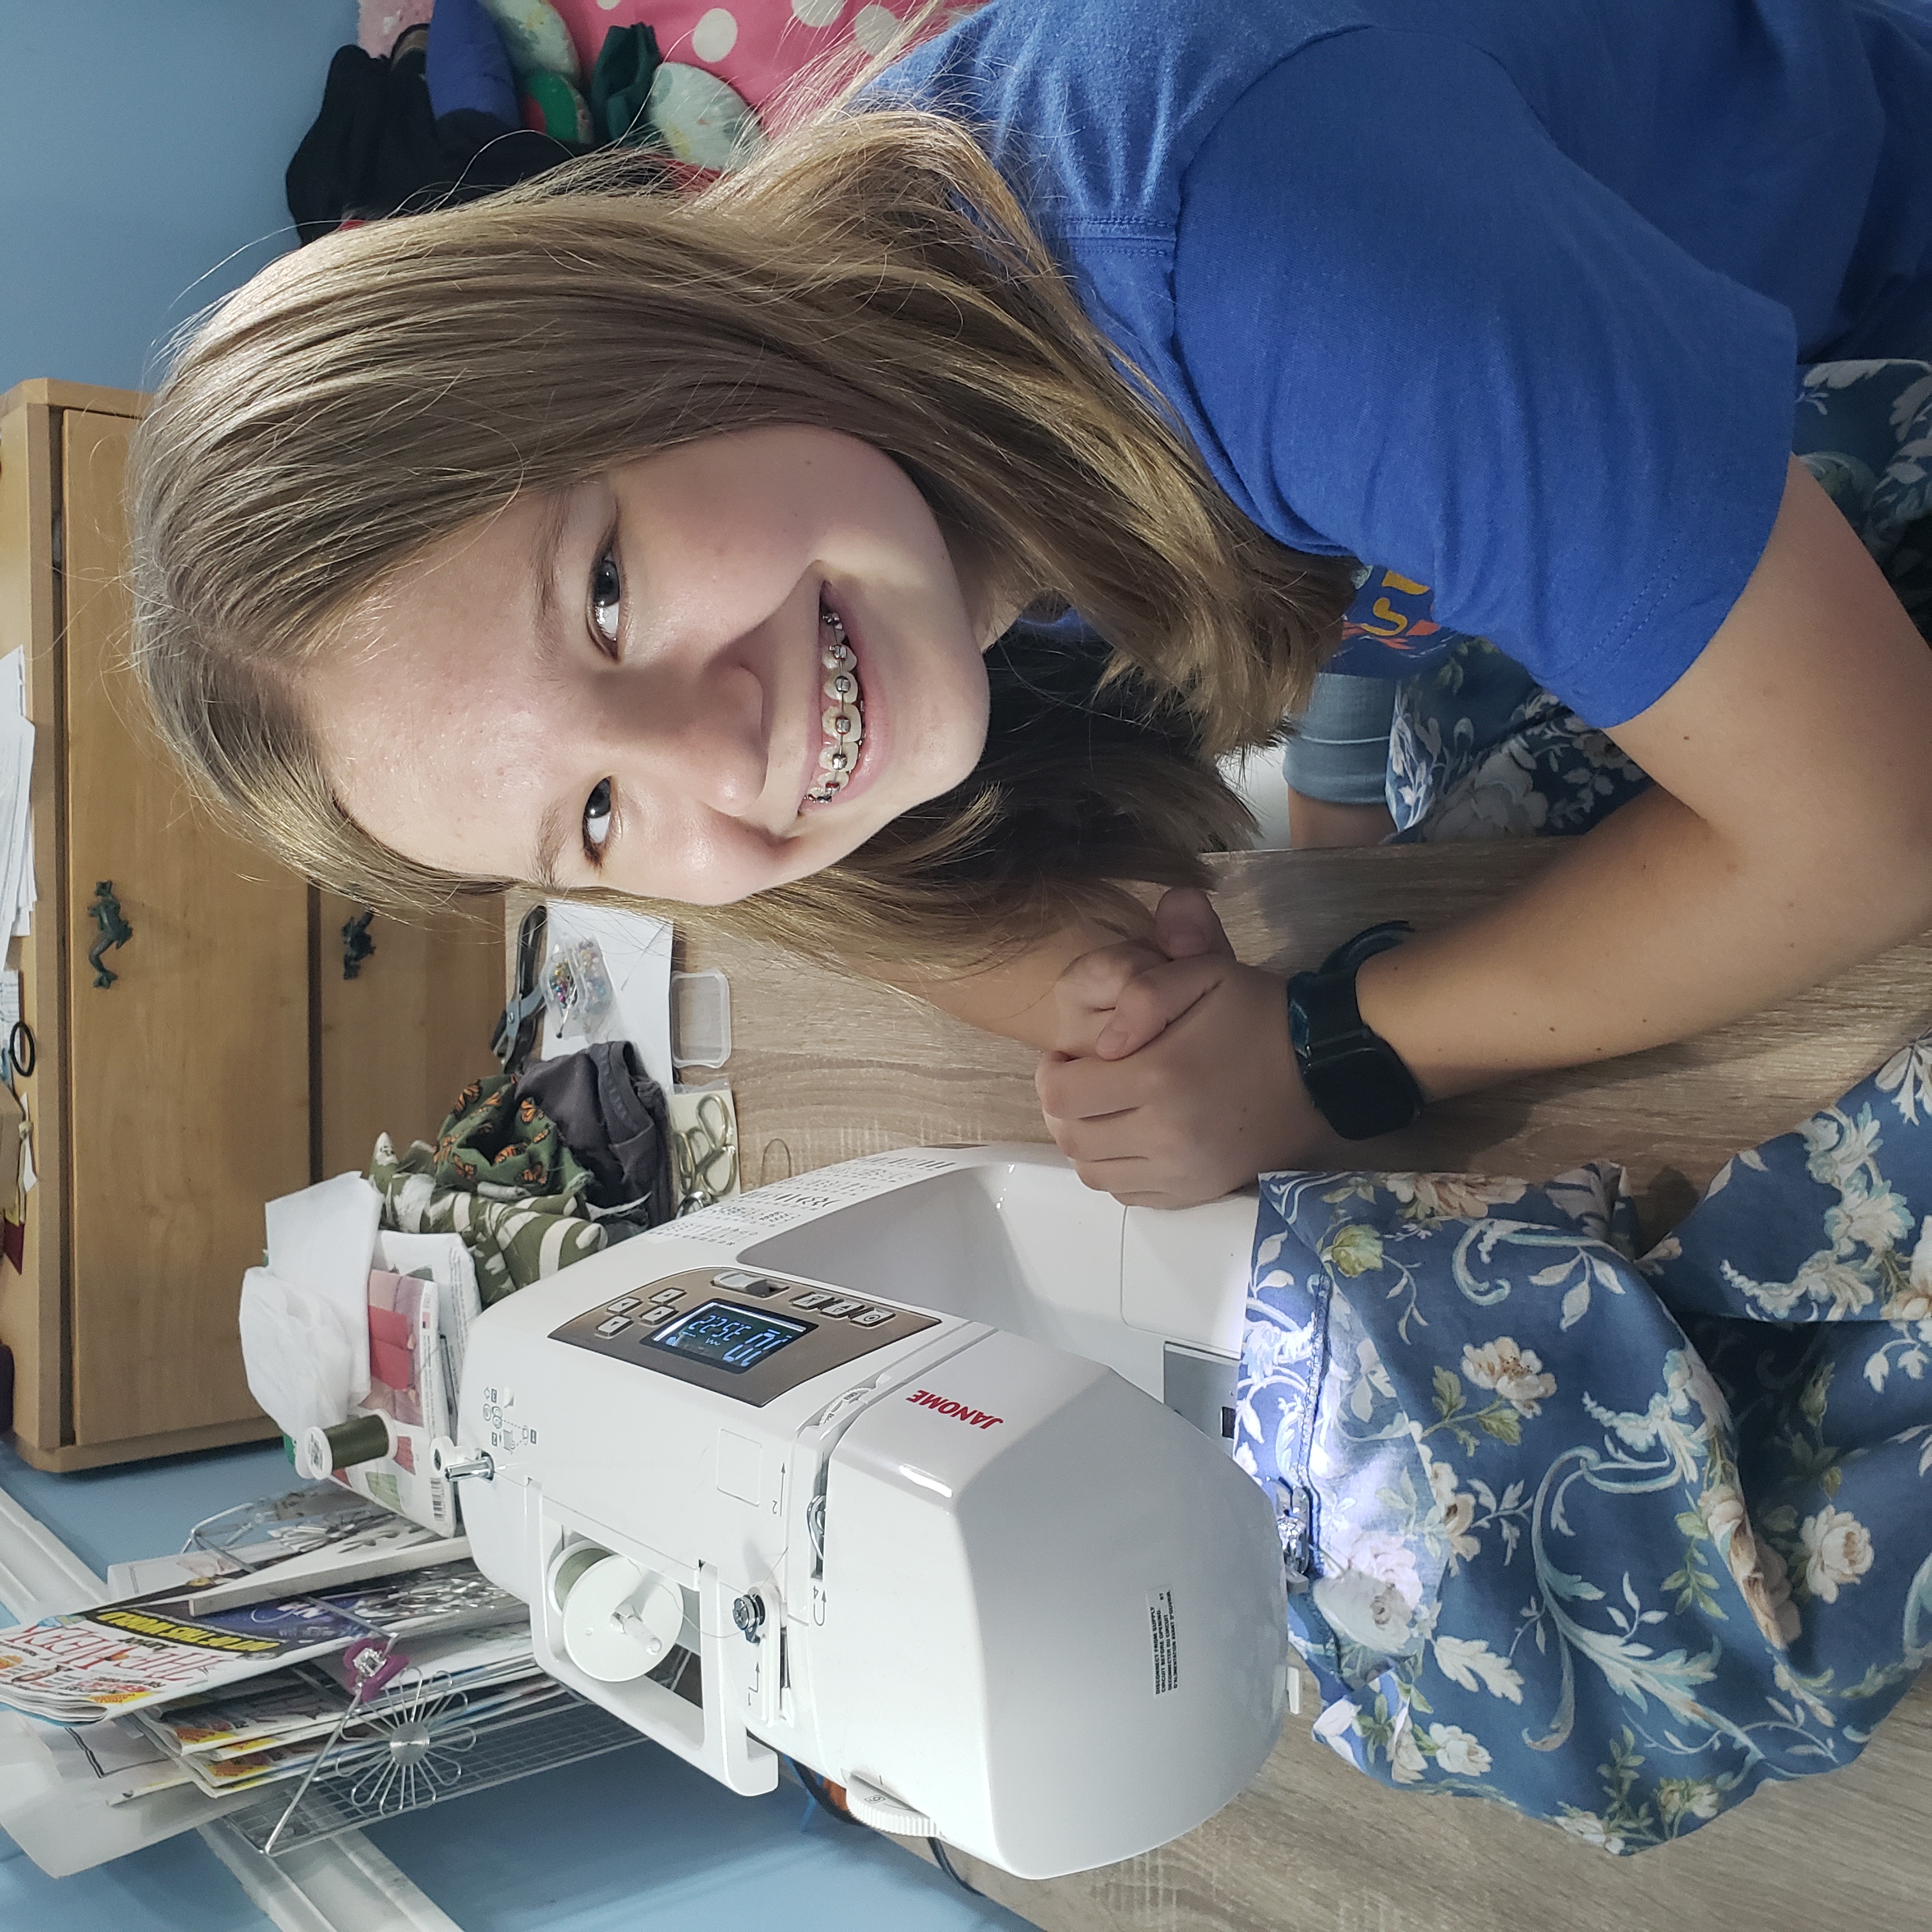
754	45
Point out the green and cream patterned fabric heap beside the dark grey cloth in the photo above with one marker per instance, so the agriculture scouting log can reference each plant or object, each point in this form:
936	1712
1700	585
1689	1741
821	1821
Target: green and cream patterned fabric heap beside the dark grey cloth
501	1179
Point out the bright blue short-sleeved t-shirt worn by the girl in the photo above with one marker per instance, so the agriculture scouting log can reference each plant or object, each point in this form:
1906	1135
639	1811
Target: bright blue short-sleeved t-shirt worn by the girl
1500	297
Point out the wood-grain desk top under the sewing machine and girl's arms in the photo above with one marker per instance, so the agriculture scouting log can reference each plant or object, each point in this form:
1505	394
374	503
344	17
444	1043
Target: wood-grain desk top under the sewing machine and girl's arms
826	1069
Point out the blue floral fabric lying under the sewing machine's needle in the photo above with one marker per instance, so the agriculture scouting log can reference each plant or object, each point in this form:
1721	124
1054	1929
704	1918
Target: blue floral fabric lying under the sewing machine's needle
1610	1541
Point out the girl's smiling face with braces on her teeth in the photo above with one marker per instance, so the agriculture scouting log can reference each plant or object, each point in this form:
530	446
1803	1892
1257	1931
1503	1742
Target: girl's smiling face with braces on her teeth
695	677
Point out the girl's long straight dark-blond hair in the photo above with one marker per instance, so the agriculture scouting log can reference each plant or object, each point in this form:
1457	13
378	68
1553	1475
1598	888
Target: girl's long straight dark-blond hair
868	273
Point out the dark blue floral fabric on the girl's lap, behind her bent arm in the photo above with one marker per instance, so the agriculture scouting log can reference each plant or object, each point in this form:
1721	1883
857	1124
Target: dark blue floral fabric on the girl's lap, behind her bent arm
1479	751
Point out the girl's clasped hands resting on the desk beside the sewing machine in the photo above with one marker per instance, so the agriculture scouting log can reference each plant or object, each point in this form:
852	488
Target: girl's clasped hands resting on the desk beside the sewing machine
1172	1081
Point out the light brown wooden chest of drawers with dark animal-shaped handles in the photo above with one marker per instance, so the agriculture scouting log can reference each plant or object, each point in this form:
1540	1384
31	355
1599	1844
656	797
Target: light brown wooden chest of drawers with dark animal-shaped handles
229	1062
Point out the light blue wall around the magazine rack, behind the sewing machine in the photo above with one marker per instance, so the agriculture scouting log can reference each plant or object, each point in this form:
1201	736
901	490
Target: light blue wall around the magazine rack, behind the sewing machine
637	1840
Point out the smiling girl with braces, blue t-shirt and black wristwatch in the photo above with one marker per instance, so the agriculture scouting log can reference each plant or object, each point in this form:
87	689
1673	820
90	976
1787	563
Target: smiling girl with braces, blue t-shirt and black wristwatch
878	550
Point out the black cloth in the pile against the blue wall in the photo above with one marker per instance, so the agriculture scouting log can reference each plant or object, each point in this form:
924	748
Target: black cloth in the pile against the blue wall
378	148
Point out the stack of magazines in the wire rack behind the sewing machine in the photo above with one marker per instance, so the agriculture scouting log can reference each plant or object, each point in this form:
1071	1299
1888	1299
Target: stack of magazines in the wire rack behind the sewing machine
312	1641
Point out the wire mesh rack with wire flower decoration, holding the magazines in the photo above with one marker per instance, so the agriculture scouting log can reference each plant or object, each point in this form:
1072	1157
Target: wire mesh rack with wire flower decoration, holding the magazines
403	1773
